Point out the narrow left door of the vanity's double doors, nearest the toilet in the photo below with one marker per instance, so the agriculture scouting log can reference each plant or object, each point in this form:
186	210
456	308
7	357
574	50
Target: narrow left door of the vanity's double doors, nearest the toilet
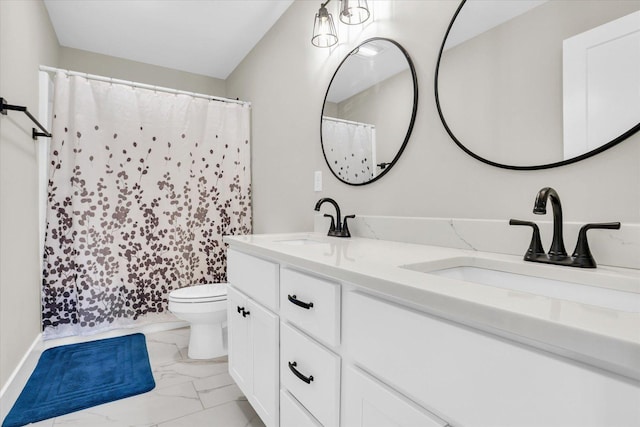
239	340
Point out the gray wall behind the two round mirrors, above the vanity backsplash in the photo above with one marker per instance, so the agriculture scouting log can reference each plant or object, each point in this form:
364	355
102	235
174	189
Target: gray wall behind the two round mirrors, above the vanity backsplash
285	78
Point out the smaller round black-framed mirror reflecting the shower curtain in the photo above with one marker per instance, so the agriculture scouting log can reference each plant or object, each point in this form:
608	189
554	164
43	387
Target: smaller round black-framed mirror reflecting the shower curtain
369	111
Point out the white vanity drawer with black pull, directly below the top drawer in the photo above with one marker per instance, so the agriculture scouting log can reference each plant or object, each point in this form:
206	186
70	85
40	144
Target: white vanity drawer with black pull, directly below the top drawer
311	373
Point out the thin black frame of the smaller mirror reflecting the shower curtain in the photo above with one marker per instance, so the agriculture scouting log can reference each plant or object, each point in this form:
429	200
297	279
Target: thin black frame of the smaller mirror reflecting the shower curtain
413	111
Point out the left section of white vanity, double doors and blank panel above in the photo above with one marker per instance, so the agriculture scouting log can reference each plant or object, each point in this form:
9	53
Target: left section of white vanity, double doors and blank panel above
254	333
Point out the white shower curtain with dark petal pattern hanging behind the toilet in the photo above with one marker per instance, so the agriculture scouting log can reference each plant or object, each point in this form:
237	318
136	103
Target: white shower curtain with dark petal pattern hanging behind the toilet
142	187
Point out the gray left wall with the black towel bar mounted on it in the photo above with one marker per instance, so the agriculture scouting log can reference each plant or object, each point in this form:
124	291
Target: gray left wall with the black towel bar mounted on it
26	41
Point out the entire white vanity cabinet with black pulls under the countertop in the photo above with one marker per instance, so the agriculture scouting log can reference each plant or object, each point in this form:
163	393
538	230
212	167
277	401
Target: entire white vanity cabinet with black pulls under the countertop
320	352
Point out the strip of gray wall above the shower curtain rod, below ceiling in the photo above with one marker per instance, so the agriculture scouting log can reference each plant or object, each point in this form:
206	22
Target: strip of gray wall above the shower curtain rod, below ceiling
109	66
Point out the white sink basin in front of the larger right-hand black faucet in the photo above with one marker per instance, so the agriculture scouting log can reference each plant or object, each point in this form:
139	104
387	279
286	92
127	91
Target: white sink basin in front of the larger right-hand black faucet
498	277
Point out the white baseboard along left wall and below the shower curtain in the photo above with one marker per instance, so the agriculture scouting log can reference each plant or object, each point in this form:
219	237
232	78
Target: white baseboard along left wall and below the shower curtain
18	378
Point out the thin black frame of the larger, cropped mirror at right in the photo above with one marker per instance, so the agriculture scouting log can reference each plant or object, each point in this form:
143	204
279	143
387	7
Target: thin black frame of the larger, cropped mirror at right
591	153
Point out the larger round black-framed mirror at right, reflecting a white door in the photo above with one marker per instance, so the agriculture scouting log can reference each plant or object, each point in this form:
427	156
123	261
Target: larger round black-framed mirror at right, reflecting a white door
534	84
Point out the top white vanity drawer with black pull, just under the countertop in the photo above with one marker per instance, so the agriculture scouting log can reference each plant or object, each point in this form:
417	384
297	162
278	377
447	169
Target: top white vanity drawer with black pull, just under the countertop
311	304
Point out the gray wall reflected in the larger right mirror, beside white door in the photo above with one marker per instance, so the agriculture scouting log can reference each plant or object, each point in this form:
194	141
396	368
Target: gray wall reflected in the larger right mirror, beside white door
510	106
